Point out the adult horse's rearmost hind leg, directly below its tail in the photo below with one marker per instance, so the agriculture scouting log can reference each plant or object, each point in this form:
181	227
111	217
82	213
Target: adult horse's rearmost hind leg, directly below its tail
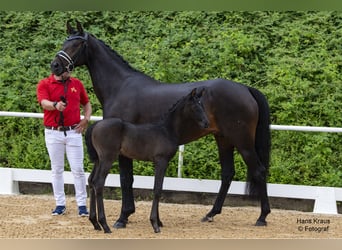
257	182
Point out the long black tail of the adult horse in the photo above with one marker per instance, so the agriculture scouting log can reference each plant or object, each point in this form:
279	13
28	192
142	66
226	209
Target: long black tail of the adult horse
262	141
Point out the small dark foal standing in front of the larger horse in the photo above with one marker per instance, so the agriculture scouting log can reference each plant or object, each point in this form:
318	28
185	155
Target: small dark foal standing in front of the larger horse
156	142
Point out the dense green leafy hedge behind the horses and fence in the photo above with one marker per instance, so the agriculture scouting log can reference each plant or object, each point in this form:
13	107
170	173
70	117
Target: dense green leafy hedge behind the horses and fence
294	58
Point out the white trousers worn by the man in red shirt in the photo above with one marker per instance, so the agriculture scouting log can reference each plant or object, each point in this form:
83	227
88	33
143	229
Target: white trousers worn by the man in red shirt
72	145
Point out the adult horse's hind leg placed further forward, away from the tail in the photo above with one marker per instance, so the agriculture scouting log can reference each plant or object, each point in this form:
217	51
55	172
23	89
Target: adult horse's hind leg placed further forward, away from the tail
227	173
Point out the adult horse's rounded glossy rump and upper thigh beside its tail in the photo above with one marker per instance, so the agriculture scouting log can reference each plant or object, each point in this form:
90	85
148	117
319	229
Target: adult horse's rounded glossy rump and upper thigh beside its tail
233	111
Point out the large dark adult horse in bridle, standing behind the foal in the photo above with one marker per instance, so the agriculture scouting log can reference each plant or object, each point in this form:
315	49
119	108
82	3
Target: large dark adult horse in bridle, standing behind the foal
239	115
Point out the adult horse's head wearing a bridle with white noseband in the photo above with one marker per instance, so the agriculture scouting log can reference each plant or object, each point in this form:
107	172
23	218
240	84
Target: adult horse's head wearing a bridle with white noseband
73	51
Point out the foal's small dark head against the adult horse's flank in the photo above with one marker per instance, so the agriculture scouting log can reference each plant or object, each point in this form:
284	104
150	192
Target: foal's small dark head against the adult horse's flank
194	106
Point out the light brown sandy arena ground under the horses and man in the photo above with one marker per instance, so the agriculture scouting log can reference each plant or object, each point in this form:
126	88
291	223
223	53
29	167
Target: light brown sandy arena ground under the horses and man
28	216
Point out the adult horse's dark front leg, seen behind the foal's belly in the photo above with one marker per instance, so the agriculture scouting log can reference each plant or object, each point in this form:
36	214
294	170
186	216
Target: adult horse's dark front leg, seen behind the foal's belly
126	183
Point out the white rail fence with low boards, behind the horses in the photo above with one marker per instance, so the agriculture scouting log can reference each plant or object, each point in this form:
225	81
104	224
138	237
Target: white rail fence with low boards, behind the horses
325	197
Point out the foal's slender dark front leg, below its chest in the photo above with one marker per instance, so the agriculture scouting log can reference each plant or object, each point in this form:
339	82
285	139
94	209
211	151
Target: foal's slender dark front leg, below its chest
160	169
